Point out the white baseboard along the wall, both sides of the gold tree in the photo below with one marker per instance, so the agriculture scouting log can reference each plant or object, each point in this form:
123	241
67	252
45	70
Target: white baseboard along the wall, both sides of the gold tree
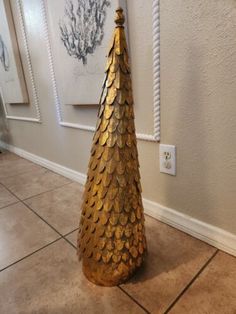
210	234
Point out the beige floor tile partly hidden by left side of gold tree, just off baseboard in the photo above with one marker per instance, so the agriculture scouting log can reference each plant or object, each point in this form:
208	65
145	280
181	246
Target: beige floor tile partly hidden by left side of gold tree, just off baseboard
60	208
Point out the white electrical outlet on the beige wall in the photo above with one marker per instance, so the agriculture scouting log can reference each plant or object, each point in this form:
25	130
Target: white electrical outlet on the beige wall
168	159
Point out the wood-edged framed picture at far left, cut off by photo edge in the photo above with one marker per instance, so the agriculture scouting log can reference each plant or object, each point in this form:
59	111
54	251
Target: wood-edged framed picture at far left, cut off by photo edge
12	81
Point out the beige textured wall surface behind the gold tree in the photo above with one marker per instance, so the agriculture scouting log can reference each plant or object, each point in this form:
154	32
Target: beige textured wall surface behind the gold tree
198	111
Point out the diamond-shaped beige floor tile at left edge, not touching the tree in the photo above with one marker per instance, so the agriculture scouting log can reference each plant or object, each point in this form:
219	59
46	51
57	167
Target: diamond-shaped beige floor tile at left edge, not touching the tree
32	183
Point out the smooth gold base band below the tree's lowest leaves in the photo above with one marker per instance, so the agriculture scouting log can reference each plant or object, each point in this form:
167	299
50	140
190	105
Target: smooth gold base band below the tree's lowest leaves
107	275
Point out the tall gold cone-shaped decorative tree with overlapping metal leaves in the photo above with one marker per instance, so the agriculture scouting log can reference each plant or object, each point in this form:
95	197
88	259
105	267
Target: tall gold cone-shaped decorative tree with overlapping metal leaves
111	238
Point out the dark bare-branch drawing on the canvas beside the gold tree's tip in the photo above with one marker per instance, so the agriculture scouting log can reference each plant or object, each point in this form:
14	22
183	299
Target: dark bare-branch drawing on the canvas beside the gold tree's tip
82	28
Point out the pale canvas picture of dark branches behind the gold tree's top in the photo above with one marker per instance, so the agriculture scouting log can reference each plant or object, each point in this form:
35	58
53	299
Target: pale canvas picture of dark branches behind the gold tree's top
79	32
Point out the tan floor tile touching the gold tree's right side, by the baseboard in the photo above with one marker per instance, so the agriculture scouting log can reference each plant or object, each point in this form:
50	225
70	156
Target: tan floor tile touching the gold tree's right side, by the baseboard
173	259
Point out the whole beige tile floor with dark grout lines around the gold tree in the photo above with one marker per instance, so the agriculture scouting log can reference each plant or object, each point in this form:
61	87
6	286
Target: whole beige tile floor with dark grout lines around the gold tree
39	271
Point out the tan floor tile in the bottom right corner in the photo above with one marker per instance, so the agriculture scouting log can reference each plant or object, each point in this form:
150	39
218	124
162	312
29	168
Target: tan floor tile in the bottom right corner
214	291
